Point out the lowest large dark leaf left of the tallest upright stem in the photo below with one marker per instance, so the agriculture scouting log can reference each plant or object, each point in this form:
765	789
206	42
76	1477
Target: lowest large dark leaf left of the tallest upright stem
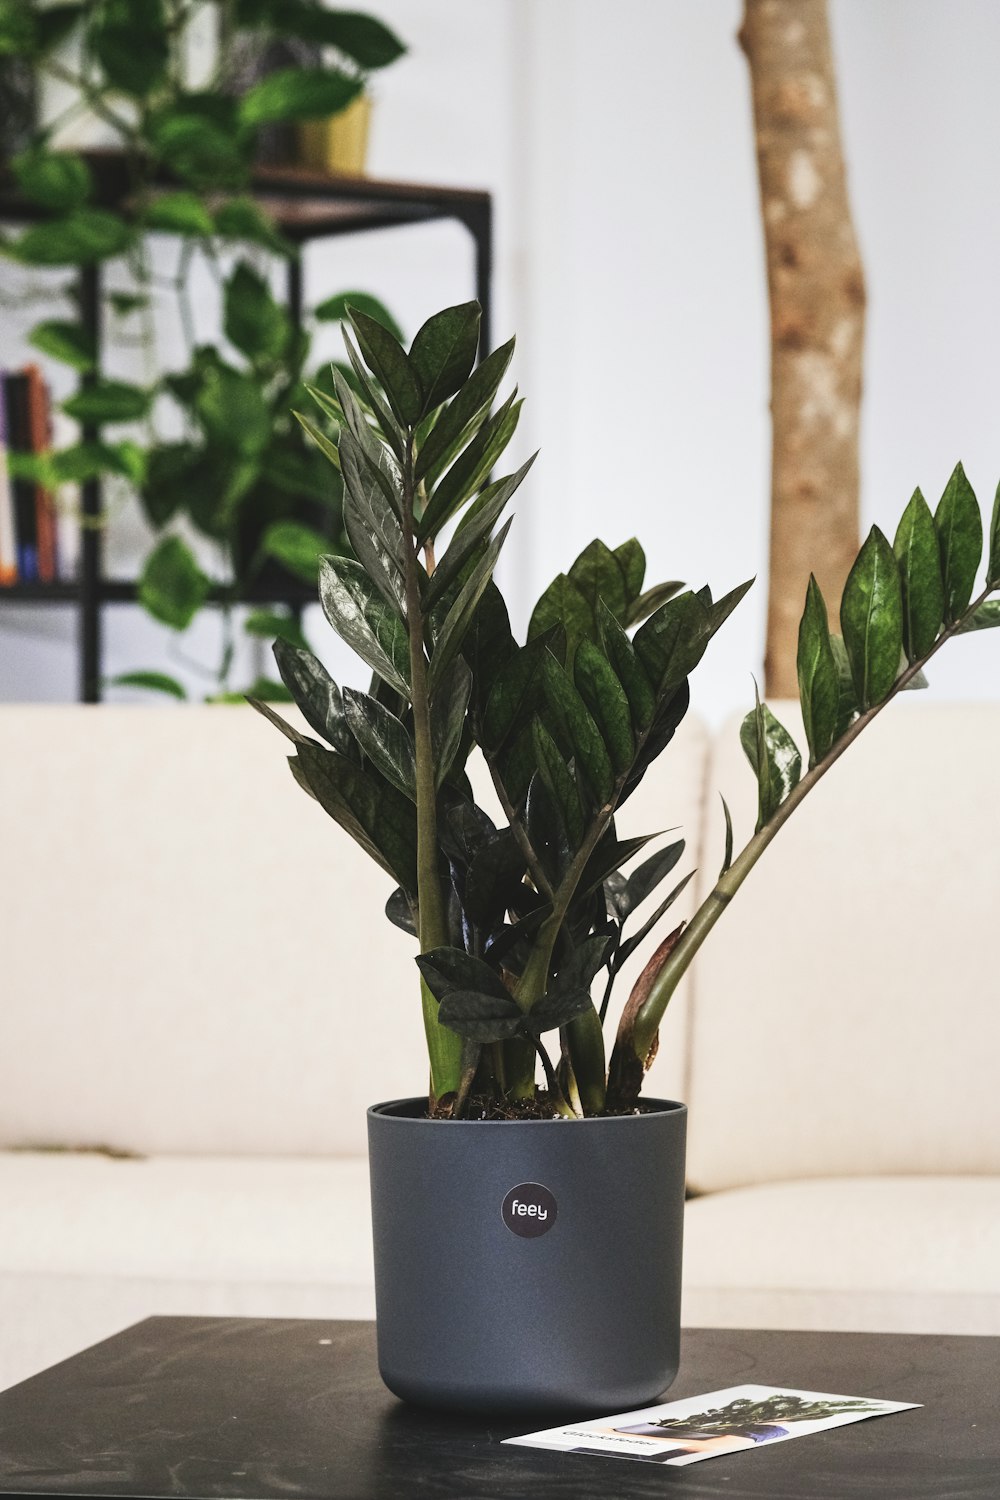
377	817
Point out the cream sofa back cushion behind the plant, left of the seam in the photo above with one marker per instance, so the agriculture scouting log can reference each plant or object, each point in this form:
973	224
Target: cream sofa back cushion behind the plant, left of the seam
193	956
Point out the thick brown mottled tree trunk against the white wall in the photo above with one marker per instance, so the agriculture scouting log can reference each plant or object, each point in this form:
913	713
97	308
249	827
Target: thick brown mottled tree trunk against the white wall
818	305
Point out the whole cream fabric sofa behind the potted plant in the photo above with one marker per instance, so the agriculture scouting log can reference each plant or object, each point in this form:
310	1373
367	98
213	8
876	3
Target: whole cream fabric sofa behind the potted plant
200	997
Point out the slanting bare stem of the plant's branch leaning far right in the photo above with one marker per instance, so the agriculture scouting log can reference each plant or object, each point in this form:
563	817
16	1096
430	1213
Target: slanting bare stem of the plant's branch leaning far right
635	1048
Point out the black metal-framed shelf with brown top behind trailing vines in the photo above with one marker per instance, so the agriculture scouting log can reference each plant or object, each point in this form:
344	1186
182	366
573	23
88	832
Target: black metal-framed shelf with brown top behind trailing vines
307	206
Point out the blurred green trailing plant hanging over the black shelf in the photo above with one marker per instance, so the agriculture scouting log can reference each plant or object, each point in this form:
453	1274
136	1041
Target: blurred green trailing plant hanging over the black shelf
212	449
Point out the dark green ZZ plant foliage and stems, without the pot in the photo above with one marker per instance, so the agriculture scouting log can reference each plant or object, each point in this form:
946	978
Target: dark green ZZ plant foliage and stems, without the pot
516	923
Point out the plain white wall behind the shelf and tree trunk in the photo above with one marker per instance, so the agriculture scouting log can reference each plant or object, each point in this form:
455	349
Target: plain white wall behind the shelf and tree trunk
618	145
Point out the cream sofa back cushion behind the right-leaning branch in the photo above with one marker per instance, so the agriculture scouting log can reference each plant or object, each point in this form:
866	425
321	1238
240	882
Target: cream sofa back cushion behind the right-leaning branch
848	1006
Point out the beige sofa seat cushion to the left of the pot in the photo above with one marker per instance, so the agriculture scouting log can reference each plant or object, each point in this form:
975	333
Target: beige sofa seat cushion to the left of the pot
91	1246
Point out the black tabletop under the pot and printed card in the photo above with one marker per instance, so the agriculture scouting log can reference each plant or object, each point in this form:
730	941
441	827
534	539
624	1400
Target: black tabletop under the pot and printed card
266	1408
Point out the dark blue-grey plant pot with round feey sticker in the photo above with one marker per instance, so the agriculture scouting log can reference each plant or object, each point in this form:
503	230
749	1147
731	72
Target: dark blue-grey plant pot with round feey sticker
528	1265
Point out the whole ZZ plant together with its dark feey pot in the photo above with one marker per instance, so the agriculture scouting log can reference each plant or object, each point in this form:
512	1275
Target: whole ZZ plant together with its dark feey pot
528	1238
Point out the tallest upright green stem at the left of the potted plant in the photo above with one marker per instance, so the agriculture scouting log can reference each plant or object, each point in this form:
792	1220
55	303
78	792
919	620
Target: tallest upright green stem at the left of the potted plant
445	1046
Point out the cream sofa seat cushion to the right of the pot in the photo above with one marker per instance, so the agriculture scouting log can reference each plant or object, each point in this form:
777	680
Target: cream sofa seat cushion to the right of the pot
893	1255
